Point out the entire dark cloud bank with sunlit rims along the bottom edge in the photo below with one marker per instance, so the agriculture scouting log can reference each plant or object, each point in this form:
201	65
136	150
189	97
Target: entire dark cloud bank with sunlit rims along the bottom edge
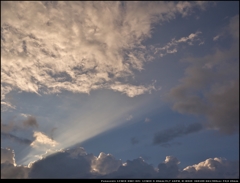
76	163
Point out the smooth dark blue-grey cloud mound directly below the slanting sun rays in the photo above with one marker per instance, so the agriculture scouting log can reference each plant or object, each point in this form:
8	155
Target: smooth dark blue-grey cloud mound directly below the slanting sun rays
70	164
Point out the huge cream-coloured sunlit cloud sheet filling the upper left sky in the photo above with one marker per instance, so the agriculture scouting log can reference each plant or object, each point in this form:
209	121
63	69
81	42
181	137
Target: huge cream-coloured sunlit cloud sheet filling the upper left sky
78	46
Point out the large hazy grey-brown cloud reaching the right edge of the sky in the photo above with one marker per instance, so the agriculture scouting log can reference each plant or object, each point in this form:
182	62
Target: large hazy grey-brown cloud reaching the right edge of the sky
211	86
